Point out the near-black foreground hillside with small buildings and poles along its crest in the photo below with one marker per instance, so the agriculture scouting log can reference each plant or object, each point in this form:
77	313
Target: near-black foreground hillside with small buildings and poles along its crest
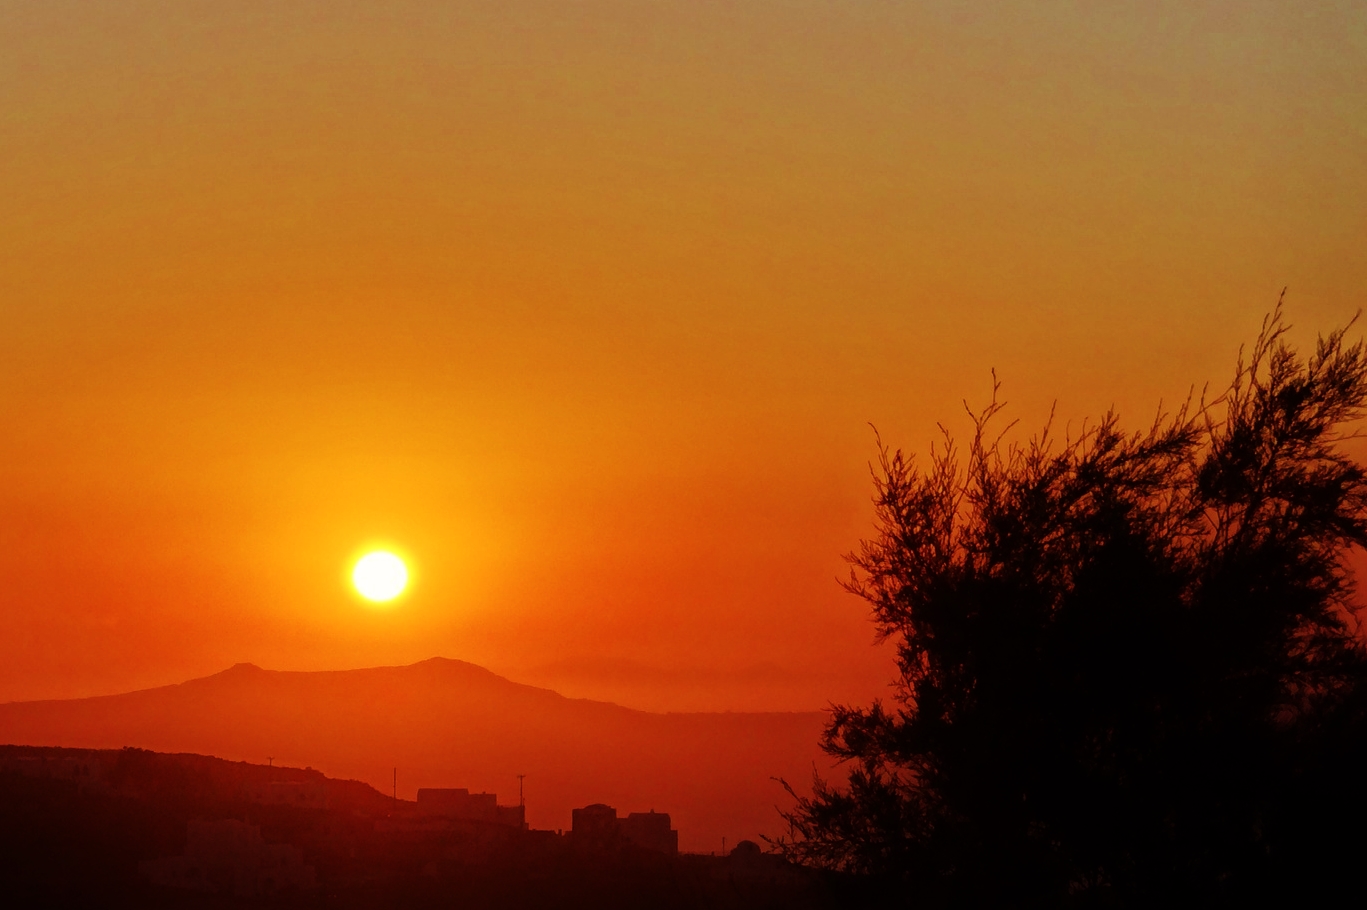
105	827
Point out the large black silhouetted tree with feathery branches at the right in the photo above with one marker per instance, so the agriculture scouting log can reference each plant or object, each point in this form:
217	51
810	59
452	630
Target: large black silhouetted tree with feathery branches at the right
1128	665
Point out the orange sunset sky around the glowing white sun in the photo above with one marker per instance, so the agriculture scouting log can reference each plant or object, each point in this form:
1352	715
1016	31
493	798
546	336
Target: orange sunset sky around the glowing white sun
587	305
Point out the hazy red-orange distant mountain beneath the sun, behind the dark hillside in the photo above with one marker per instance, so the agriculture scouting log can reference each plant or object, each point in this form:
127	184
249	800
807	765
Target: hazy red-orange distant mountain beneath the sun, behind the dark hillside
456	725
